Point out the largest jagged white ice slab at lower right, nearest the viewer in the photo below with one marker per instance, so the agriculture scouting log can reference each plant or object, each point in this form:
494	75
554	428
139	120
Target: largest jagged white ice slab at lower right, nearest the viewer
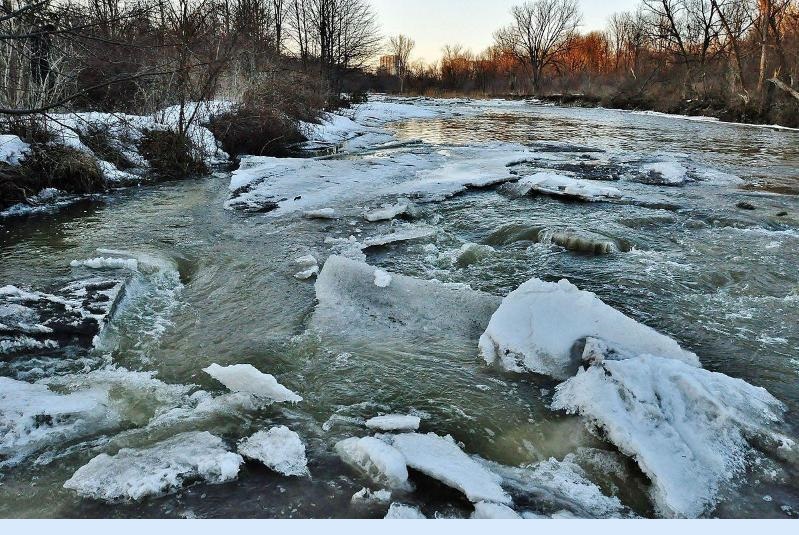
687	428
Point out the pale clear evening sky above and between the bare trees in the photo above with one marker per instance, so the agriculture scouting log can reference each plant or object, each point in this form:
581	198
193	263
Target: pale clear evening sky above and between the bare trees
435	23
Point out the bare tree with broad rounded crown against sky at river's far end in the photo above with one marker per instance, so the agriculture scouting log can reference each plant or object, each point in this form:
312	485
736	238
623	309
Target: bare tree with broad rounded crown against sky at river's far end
541	31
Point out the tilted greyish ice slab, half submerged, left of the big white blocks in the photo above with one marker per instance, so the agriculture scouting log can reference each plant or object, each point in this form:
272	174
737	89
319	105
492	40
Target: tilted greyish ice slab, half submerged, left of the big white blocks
350	303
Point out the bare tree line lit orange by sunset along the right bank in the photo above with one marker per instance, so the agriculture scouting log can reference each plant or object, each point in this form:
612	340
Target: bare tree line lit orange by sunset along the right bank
733	57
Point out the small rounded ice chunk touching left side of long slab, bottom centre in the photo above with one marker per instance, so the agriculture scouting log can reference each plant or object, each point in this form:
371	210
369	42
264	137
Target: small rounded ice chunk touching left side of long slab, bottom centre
378	460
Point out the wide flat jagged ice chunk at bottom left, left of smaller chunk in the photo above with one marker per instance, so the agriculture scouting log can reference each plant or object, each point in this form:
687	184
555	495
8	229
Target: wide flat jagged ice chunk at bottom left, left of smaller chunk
161	469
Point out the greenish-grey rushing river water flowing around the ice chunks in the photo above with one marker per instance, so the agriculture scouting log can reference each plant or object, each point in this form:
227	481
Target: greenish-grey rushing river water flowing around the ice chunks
689	262
